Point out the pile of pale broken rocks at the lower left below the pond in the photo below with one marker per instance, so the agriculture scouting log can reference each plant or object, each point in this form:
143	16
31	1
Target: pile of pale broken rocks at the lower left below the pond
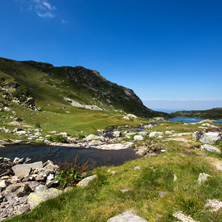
21	185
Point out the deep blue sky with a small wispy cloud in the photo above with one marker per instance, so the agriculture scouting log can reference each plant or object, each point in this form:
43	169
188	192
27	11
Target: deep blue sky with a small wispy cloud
165	50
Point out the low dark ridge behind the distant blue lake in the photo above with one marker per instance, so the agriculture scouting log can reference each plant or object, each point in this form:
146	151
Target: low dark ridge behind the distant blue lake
215	113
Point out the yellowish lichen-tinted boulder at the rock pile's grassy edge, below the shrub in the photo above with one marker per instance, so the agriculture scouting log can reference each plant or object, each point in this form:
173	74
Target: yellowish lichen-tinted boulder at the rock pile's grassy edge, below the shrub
37	197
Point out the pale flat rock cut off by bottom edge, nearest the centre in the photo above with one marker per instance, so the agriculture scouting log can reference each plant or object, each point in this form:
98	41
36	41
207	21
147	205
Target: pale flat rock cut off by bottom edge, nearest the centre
127	216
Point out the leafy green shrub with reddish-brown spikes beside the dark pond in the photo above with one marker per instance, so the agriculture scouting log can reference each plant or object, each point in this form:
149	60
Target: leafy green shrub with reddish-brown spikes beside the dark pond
70	174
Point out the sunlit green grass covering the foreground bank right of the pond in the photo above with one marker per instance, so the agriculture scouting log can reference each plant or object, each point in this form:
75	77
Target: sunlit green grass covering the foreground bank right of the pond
103	199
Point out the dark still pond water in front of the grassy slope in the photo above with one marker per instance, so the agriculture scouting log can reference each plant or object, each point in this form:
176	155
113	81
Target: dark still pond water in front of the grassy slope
95	157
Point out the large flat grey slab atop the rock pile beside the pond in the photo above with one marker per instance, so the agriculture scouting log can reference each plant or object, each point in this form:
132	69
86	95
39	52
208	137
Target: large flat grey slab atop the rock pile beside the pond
23	170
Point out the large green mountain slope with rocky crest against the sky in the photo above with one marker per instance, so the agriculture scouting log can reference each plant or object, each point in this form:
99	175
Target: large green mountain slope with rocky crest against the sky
41	84
